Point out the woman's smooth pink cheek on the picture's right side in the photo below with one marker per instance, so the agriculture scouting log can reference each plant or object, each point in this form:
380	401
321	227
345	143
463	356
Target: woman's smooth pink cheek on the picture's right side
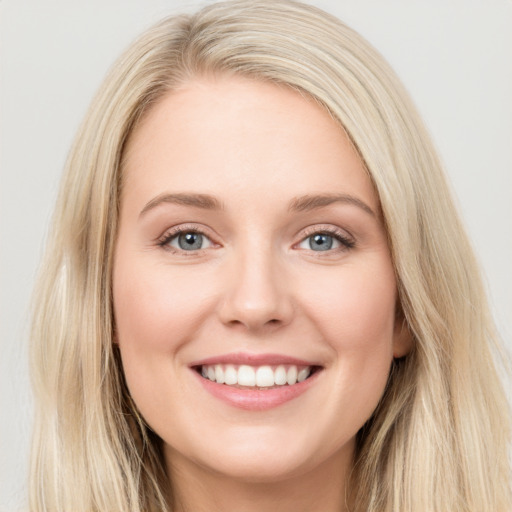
355	315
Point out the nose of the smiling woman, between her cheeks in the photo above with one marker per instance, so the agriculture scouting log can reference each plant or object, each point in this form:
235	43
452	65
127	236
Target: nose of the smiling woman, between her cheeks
257	294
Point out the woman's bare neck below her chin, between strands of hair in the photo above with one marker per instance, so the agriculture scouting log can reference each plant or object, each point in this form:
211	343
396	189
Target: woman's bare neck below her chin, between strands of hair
199	489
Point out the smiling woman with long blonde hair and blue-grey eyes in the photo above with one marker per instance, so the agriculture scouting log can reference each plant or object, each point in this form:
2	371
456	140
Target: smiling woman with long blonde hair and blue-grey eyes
193	350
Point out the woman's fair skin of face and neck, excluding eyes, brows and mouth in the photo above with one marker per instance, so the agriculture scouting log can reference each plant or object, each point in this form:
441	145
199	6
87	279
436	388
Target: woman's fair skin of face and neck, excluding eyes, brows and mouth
257	287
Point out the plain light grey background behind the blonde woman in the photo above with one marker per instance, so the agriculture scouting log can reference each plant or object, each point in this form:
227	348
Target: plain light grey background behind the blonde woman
455	57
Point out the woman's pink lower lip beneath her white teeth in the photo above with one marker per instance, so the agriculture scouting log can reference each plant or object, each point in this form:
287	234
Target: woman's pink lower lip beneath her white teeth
257	399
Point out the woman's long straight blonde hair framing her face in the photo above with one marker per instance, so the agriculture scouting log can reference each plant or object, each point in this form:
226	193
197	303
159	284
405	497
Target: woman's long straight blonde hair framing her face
438	440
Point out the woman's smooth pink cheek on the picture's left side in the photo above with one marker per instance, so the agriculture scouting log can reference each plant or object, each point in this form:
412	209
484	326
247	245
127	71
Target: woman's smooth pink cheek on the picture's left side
156	312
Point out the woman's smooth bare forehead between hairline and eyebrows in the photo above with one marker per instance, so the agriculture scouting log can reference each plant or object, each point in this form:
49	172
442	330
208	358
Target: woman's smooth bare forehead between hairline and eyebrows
231	134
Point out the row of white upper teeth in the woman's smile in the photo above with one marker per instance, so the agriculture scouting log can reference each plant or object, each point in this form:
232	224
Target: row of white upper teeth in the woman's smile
262	376
